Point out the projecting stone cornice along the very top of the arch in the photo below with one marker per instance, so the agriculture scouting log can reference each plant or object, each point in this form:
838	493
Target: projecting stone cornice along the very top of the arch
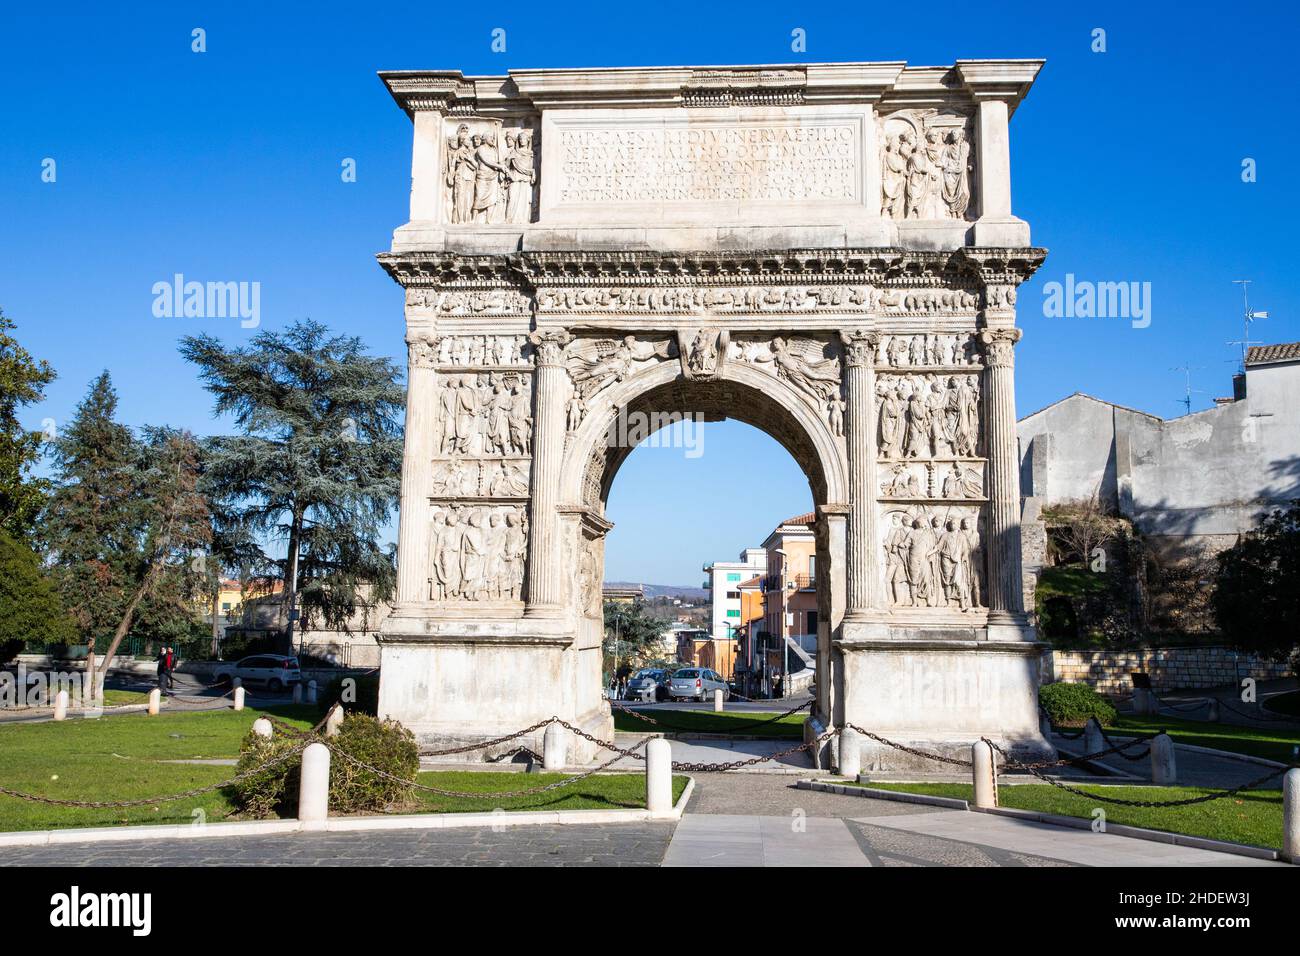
531	90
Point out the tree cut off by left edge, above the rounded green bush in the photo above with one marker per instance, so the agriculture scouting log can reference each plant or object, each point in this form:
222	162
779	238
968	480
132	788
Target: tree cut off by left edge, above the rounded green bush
23	383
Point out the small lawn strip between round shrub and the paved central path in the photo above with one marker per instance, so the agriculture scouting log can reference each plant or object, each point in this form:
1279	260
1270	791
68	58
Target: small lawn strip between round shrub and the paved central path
601	793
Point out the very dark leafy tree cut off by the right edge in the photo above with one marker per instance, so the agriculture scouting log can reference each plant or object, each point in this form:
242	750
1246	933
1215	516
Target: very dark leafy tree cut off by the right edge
1258	589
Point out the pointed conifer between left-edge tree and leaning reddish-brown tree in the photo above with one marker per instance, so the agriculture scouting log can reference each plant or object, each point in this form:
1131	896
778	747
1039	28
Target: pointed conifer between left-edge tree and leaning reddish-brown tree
93	525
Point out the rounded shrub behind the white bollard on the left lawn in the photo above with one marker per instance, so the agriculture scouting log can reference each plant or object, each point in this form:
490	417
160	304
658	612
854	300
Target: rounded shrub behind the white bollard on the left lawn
383	745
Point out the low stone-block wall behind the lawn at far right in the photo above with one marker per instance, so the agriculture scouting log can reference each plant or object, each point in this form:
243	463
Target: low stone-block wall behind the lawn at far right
1169	668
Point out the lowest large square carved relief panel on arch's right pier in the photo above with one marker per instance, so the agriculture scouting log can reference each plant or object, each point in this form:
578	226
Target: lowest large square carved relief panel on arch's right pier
934	557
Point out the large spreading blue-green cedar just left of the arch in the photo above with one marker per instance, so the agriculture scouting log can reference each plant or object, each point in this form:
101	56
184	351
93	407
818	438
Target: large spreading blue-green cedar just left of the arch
317	466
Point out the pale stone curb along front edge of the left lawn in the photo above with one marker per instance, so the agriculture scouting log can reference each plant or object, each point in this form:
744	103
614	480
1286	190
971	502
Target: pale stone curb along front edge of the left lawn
414	821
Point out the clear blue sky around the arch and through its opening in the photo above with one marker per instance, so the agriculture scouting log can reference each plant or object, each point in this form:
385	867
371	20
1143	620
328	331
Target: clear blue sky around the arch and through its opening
226	166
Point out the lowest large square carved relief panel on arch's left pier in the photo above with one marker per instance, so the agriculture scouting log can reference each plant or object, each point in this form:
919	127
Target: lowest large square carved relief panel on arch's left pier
478	552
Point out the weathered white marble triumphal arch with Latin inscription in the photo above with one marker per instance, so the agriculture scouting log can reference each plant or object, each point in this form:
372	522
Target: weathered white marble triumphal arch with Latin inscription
825	252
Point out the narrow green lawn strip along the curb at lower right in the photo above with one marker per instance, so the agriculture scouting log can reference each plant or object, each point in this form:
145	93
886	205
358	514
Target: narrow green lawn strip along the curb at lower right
1254	817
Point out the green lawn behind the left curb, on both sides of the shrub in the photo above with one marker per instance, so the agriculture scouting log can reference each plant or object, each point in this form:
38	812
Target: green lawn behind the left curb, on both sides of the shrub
119	758
